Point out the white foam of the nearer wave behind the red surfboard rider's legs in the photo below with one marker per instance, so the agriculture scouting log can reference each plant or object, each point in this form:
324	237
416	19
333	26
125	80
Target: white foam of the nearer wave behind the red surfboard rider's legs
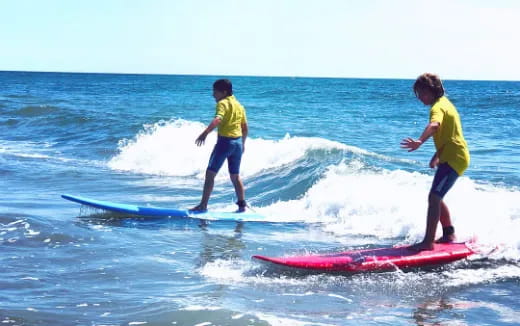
392	204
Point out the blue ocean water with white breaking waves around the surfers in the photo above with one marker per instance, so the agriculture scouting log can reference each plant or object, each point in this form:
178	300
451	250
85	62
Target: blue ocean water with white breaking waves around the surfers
322	163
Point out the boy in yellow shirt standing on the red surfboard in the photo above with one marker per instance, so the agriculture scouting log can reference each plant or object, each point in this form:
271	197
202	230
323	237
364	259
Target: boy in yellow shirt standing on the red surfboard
451	158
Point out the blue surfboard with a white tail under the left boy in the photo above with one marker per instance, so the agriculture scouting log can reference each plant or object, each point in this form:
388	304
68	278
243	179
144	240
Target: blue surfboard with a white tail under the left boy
163	212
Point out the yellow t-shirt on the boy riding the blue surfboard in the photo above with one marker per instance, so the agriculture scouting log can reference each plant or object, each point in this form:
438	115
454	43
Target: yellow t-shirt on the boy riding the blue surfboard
232	115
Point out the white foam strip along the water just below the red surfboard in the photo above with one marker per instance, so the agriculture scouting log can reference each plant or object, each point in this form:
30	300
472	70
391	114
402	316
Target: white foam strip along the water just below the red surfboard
244	273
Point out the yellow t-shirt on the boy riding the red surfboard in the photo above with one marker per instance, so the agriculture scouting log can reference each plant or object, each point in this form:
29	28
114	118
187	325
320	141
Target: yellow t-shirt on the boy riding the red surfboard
449	138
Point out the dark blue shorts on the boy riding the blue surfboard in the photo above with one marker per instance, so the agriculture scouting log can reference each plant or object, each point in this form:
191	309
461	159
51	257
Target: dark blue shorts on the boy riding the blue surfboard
226	148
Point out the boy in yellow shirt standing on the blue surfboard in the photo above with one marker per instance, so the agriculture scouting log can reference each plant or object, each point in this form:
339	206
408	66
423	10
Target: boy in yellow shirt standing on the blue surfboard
230	117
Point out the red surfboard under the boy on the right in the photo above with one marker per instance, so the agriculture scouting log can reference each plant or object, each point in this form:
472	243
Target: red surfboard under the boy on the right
379	259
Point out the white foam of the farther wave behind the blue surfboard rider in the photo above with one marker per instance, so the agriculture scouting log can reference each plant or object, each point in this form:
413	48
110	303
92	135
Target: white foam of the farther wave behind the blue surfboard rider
168	148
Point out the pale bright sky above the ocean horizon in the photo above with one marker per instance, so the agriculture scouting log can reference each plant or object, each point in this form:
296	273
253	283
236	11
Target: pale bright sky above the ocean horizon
457	39
